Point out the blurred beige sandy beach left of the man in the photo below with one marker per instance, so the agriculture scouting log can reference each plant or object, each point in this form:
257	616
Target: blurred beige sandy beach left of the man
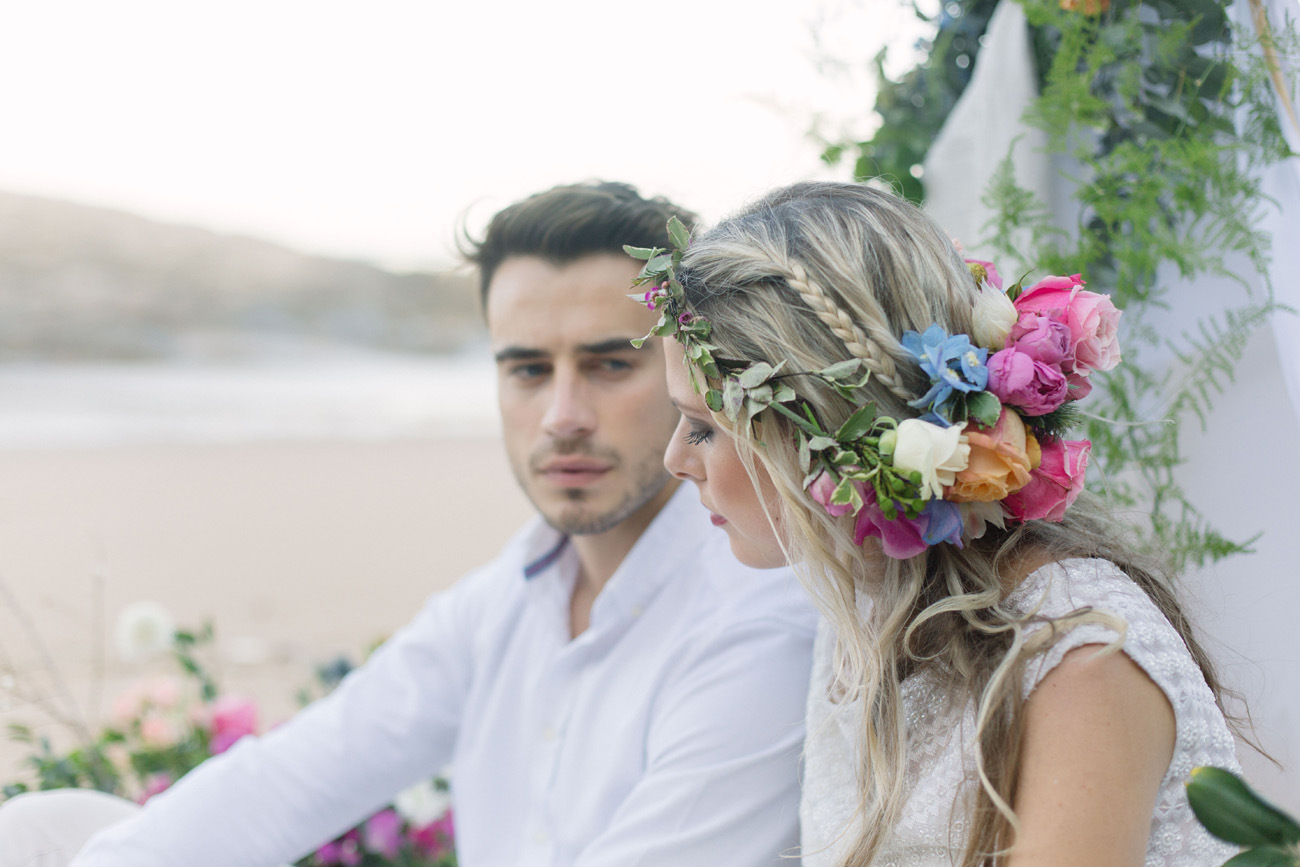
297	552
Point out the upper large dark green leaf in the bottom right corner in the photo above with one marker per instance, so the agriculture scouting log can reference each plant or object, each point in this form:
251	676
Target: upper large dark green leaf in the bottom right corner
1233	812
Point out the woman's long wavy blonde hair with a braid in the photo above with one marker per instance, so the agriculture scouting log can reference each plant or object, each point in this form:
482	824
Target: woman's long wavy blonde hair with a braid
816	274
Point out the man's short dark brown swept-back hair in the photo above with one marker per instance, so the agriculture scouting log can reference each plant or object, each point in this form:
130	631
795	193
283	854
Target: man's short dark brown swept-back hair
571	222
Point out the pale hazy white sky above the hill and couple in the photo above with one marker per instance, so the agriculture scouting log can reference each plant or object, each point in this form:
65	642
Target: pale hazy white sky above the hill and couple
367	129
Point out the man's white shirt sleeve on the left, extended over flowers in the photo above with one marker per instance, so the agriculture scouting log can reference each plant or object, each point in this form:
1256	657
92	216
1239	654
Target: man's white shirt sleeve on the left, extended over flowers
278	797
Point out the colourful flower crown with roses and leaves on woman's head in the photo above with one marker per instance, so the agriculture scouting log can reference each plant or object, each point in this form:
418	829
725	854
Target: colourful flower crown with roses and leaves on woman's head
987	446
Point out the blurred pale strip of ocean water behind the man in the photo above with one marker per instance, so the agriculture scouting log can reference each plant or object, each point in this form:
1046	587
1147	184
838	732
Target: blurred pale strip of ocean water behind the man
335	395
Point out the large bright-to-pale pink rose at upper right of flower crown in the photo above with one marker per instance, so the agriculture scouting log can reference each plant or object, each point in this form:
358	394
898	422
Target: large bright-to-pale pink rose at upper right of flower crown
1093	320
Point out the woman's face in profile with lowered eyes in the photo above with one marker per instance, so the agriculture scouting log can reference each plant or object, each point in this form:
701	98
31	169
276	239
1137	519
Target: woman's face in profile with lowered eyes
707	456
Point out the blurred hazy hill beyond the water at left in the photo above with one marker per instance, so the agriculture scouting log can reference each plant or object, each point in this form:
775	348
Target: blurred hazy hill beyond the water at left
86	284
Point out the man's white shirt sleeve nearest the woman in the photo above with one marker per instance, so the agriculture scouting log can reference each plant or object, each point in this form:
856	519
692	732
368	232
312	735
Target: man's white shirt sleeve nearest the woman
722	784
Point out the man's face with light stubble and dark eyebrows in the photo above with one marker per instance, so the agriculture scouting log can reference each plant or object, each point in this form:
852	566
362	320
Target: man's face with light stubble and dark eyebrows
586	417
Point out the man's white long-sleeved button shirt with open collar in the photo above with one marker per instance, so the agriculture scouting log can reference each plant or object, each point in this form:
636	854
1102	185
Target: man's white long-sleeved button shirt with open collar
669	734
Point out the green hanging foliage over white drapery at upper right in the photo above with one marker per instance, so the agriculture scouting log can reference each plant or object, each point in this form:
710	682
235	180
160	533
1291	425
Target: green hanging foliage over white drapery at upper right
1168	116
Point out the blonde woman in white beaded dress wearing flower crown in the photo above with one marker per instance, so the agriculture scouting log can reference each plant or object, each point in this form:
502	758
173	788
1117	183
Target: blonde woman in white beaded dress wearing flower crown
1000	678
